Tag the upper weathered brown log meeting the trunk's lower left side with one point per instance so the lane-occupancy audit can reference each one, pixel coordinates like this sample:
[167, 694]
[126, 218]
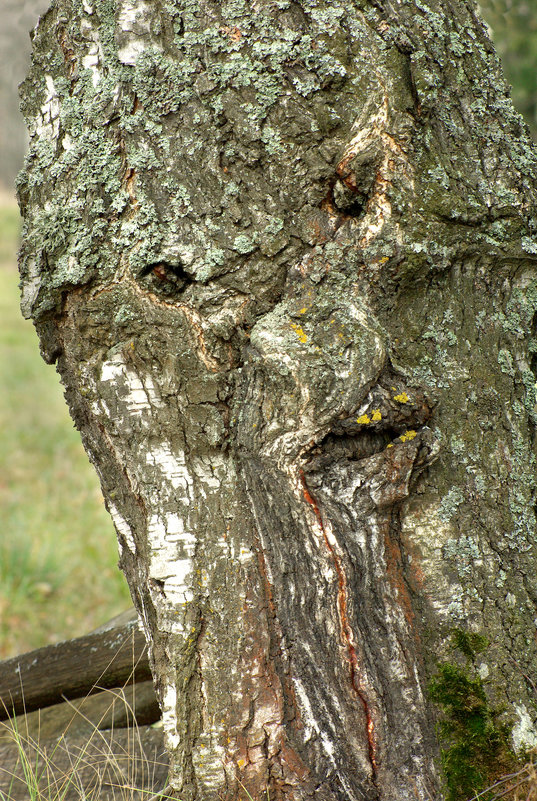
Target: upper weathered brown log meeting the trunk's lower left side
[71, 669]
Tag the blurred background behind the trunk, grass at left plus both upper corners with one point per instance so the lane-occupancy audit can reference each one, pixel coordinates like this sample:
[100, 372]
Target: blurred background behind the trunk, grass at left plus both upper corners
[58, 574]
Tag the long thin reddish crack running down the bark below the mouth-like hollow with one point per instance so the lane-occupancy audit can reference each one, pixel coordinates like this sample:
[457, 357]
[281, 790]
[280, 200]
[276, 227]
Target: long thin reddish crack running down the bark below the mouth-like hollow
[346, 630]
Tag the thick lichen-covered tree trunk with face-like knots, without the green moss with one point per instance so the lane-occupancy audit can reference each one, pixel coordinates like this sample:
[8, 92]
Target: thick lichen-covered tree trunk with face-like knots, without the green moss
[283, 255]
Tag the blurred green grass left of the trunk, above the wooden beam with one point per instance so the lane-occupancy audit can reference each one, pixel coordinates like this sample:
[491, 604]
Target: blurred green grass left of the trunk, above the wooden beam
[58, 574]
